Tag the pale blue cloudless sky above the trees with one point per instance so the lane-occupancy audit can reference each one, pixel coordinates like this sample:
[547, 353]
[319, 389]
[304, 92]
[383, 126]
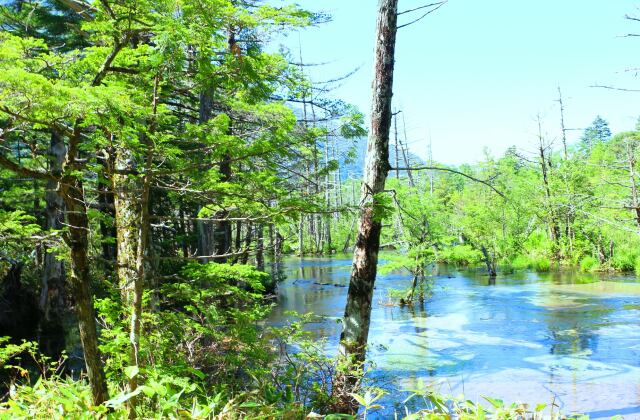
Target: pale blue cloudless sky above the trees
[474, 75]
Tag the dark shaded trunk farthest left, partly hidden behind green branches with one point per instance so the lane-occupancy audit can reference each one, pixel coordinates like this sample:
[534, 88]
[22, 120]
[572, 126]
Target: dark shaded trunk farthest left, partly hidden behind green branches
[52, 302]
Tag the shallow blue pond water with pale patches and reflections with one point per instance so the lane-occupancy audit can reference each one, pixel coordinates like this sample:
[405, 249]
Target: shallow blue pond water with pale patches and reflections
[536, 338]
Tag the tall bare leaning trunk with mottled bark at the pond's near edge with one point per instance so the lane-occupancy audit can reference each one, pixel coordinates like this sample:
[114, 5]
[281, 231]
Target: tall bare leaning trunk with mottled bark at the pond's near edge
[353, 339]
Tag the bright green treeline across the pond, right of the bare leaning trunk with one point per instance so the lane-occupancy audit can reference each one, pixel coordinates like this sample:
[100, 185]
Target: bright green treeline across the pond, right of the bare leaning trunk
[570, 205]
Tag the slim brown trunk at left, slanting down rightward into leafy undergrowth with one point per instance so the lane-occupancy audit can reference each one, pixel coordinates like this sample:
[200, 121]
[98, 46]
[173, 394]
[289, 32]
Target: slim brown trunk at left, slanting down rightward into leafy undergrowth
[72, 191]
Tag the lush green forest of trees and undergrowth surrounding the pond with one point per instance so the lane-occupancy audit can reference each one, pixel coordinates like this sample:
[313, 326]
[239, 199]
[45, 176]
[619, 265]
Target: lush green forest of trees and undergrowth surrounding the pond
[163, 168]
